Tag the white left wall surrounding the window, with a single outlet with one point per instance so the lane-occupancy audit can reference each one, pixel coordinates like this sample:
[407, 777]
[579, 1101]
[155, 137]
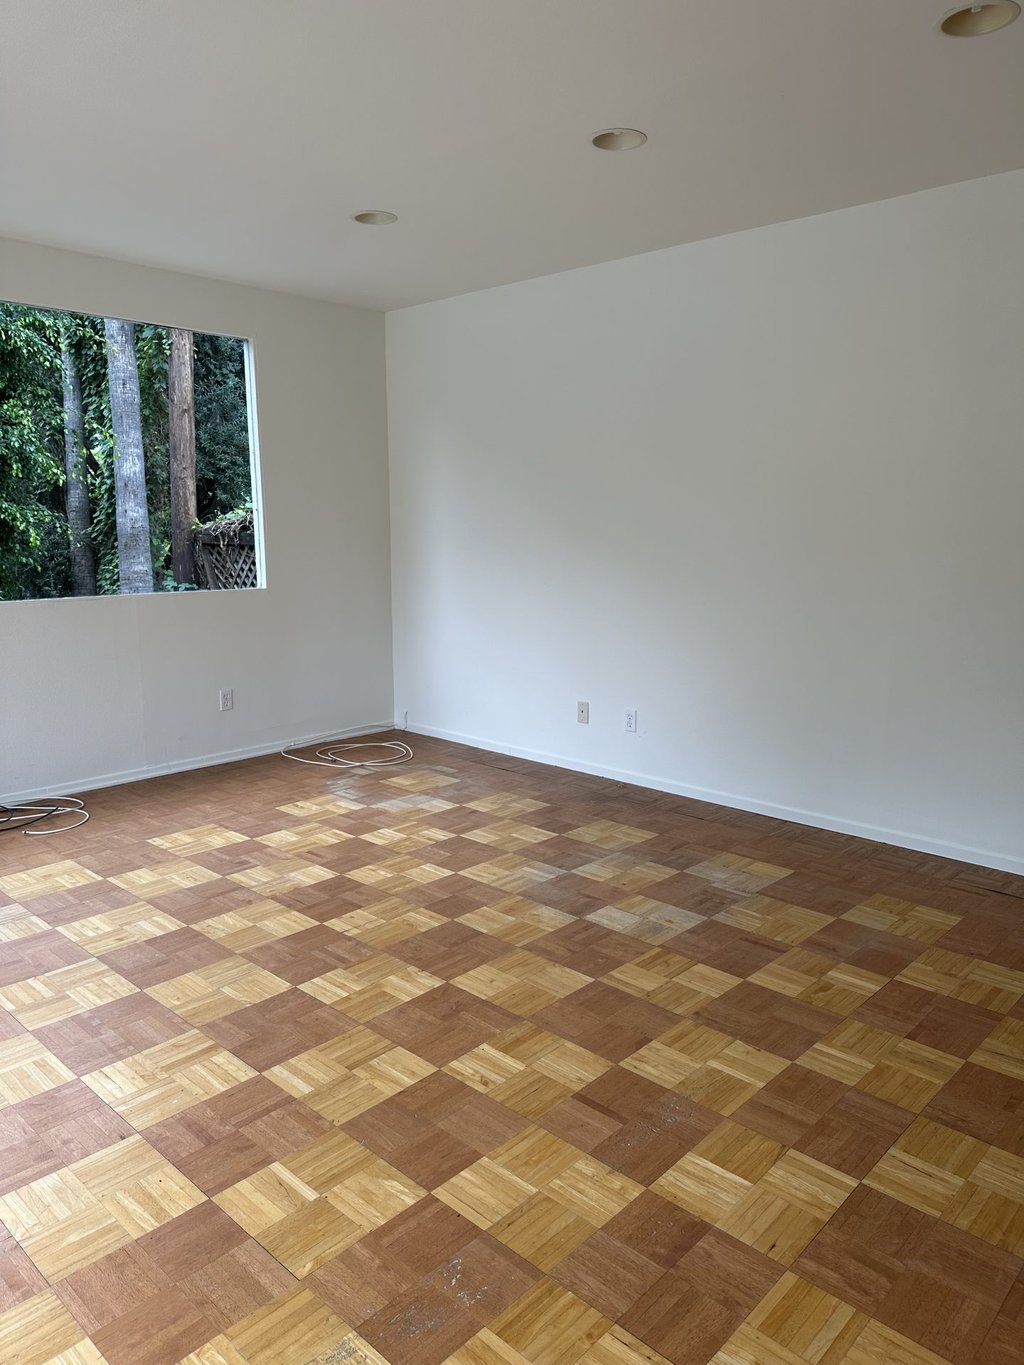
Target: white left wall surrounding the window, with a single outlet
[117, 687]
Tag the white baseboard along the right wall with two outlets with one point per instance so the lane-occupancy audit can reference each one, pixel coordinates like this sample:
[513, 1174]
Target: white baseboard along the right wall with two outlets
[879, 835]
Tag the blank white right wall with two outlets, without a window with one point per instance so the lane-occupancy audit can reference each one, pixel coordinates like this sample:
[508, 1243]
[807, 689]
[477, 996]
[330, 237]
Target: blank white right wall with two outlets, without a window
[768, 489]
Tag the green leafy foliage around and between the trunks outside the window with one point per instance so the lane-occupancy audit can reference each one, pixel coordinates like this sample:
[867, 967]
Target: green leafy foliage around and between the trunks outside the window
[35, 540]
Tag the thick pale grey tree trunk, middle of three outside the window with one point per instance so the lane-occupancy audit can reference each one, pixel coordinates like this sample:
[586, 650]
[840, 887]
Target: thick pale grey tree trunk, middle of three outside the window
[134, 554]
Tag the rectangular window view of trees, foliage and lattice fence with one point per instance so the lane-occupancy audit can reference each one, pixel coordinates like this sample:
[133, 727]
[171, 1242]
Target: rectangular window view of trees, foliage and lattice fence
[125, 458]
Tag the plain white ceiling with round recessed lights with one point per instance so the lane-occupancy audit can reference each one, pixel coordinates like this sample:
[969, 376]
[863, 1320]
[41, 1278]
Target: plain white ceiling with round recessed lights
[234, 139]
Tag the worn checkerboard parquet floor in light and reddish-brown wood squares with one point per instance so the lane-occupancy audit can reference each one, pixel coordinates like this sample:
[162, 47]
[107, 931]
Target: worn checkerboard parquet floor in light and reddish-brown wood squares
[491, 1064]
